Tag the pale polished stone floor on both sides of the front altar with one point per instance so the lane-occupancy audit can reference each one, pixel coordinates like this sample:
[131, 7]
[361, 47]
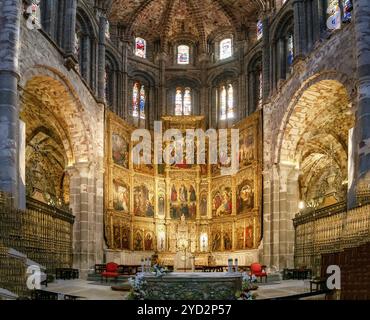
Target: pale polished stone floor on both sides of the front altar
[89, 290]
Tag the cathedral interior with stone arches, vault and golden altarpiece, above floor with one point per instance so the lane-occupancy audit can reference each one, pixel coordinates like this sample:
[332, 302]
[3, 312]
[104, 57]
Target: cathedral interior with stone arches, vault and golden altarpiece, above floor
[79, 77]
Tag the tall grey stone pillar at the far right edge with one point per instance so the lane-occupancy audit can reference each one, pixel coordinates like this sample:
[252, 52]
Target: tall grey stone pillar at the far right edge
[362, 33]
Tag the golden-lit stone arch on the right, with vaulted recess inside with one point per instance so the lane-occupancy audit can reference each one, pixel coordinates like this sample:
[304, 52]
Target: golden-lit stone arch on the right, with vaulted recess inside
[313, 143]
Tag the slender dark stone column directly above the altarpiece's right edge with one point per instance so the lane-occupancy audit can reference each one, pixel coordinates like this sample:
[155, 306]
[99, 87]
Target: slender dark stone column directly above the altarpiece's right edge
[266, 59]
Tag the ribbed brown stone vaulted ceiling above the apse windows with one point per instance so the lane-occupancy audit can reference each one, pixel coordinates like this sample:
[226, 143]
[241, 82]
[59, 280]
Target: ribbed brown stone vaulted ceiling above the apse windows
[155, 19]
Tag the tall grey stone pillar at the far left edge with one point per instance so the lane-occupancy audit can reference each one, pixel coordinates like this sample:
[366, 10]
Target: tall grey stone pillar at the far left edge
[10, 14]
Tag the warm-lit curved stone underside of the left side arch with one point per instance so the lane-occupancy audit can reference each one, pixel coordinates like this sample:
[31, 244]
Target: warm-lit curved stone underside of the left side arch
[58, 102]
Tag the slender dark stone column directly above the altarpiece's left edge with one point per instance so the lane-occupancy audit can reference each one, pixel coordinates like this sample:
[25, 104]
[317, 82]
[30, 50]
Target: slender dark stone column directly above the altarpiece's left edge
[101, 58]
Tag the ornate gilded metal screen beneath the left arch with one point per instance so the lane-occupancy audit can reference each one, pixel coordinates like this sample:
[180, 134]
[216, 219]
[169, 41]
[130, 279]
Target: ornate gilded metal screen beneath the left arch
[42, 233]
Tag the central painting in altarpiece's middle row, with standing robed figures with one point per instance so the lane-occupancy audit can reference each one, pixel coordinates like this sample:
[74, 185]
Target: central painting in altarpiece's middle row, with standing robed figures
[183, 201]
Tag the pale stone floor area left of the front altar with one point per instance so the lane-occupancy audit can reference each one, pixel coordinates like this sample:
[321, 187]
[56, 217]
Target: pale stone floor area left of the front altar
[87, 290]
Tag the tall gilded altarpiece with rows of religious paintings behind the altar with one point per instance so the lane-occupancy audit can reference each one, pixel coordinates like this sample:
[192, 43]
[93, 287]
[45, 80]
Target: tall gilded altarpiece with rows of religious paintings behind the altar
[185, 208]
